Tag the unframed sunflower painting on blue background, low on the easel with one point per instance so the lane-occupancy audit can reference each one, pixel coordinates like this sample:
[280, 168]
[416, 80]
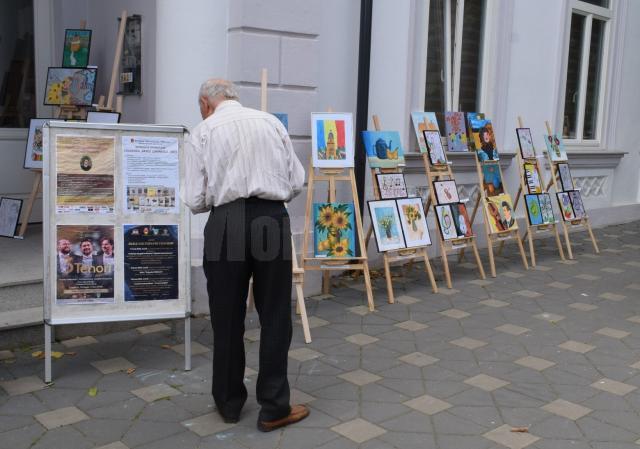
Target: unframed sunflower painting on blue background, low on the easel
[333, 230]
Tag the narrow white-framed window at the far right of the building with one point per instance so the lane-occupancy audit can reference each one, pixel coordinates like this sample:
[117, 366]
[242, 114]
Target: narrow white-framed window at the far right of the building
[586, 58]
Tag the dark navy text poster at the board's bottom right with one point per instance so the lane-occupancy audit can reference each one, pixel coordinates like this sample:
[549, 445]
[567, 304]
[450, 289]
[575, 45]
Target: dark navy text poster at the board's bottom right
[150, 262]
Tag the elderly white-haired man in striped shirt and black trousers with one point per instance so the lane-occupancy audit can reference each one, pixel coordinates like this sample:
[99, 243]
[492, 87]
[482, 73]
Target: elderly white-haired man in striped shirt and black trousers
[242, 167]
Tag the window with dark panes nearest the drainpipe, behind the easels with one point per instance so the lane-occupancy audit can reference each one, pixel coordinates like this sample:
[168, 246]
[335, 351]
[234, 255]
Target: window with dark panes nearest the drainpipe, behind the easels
[454, 56]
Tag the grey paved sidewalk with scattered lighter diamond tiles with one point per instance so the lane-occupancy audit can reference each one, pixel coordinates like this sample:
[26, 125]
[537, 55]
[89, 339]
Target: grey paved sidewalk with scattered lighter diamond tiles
[553, 352]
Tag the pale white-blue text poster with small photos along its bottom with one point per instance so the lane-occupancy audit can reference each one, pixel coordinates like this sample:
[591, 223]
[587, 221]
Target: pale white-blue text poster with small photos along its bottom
[151, 174]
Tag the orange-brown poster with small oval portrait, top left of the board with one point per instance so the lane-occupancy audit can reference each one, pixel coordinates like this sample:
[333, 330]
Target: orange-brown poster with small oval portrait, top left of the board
[85, 174]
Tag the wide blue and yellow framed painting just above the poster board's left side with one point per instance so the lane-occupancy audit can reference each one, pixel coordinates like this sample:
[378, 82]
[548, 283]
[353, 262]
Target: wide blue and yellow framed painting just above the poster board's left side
[67, 86]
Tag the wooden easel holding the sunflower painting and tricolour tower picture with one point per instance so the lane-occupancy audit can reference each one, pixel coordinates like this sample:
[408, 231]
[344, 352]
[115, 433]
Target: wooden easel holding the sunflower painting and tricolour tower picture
[327, 264]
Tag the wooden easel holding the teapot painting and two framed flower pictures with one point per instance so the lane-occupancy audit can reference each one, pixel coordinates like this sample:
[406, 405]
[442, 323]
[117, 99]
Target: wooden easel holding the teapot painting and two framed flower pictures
[399, 255]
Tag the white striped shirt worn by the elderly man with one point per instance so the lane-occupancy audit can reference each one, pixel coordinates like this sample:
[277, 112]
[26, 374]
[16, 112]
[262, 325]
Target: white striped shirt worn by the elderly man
[239, 152]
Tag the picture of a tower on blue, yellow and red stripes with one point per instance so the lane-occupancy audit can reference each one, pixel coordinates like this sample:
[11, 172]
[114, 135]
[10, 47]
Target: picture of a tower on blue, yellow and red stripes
[332, 139]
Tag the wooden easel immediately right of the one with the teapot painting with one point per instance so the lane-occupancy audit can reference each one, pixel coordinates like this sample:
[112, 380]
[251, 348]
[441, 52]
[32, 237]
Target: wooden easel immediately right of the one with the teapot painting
[443, 172]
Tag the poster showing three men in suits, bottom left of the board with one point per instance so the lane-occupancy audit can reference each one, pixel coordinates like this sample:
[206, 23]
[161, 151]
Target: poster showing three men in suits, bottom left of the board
[85, 264]
